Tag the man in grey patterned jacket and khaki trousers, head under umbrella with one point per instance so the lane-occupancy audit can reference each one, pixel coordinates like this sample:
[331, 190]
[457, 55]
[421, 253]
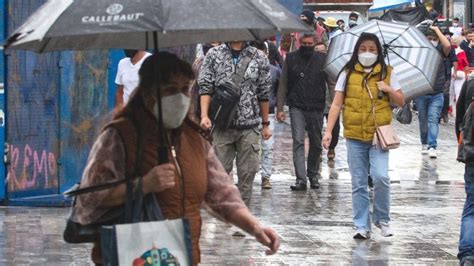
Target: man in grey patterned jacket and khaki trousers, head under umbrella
[241, 140]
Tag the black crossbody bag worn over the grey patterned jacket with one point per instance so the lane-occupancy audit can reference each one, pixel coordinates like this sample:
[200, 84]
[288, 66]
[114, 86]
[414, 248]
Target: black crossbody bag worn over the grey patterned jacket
[224, 103]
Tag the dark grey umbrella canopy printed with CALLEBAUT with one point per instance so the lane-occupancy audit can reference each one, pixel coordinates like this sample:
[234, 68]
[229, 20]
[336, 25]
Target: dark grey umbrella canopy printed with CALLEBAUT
[93, 24]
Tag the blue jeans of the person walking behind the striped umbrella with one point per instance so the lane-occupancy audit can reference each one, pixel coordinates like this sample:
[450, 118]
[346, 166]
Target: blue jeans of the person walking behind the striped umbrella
[429, 112]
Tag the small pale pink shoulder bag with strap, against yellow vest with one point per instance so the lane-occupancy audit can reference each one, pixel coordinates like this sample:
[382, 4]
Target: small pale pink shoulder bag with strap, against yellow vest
[384, 136]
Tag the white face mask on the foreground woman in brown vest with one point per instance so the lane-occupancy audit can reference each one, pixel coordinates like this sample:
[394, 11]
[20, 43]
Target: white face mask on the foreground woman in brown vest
[175, 108]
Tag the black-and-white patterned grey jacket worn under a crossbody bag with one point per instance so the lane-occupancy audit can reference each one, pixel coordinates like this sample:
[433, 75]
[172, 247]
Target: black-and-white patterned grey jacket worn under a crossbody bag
[218, 68]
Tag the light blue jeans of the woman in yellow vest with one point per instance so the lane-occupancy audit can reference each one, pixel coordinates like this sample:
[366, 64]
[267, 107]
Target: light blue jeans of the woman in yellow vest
[363, 157]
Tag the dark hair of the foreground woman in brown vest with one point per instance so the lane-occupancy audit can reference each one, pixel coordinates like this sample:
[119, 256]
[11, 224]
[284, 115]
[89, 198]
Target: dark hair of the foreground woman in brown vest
[166, 65]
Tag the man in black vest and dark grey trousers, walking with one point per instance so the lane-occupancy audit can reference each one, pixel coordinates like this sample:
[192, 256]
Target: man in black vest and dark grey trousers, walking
[303, 84]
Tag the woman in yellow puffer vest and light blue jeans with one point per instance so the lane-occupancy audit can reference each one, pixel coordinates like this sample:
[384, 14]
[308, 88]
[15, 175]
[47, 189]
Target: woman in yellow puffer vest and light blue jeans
[366, 70]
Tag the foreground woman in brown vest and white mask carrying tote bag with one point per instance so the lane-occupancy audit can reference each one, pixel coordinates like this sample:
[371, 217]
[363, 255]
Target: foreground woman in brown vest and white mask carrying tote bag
[158, 200]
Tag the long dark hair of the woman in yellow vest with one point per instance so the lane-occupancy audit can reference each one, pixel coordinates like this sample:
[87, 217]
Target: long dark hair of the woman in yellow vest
[350, 66]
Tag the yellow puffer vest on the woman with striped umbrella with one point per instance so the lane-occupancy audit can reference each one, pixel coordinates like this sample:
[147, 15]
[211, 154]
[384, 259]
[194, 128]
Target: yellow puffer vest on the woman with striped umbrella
[357, 115]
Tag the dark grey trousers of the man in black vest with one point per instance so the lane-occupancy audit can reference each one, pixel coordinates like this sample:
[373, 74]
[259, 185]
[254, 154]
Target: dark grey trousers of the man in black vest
[311, 121]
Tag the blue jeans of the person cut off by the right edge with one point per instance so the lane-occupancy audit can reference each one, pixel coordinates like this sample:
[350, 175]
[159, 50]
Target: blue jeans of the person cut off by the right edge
[466, 241]
